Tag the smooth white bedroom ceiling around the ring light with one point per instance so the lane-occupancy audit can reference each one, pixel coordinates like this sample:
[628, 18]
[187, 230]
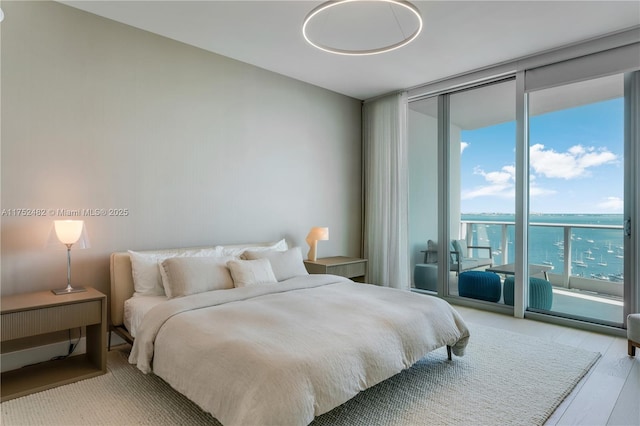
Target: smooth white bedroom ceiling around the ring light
[458, 36]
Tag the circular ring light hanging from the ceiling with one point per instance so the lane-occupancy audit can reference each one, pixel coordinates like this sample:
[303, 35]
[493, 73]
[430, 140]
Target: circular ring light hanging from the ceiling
[362, 27]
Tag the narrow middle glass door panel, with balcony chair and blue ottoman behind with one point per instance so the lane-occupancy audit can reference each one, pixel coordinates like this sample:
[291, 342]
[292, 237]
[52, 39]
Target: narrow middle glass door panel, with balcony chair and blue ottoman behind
[481, 187]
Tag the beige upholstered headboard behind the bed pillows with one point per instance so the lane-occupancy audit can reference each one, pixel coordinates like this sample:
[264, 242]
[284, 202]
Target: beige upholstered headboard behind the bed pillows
[122, 277]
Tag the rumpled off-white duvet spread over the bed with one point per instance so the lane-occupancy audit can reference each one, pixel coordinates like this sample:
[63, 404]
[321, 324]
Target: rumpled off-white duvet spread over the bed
[280, 354]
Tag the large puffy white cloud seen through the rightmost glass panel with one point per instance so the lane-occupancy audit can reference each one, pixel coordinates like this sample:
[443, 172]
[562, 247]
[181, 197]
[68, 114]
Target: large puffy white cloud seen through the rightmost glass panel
[568, 165]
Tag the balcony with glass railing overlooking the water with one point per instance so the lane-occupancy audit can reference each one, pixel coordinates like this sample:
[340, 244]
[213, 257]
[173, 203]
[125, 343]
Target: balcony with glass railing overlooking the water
[586, 261]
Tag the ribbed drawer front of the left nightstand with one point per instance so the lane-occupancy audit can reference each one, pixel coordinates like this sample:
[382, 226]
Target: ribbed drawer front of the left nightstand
[46, 320]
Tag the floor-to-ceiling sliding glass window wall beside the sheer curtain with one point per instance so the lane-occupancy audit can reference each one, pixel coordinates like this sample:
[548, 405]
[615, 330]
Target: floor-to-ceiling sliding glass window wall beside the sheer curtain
[535, 165]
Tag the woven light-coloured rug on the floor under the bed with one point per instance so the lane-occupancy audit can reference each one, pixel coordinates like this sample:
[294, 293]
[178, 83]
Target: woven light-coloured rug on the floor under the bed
[504, 378]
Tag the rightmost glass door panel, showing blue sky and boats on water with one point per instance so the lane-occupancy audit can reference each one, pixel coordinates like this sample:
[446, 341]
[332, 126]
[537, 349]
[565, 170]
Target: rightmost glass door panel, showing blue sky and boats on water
[576, 198]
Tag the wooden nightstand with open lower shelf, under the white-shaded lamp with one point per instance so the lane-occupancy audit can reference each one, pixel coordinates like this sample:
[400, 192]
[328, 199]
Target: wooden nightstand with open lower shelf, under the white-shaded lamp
[43, 312]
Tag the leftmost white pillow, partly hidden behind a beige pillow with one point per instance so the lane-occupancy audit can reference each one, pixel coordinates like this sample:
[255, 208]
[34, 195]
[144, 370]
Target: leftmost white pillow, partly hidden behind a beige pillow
[146, 274]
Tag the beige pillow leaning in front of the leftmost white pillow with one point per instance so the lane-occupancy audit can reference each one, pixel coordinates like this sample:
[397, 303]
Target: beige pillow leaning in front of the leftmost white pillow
[189, 275]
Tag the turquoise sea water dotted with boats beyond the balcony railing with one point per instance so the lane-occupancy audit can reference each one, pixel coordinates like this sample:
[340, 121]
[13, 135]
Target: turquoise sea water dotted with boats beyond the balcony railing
[595, 253]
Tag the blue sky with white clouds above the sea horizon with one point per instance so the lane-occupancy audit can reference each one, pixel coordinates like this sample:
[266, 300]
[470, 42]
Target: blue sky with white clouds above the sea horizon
[576, 158]
